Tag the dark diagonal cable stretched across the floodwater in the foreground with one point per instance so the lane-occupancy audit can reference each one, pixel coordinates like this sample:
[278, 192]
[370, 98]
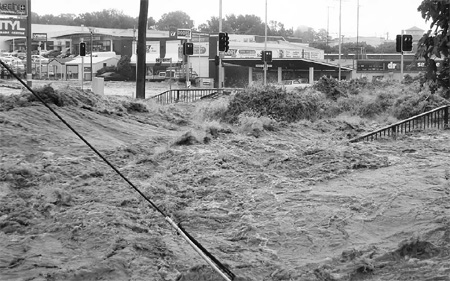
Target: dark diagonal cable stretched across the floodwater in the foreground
[222, 270]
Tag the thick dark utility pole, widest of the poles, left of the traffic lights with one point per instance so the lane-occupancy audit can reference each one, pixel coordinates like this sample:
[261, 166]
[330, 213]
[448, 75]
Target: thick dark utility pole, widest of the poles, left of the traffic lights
[141, 50]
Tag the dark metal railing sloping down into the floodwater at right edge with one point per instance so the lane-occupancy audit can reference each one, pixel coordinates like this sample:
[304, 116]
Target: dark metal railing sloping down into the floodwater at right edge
[436, 118]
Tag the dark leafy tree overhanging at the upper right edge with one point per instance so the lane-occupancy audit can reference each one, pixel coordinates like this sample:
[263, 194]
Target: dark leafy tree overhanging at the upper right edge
[434, 46]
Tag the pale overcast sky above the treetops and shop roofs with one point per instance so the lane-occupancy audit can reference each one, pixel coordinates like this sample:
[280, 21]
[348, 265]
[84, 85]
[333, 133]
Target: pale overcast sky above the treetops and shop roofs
[376, 17]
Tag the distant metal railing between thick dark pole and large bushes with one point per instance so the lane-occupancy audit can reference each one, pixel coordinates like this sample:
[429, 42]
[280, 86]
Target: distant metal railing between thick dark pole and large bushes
[184, 95]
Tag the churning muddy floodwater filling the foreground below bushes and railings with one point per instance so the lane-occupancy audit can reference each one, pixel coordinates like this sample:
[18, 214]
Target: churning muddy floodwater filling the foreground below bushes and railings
[296, 202]
